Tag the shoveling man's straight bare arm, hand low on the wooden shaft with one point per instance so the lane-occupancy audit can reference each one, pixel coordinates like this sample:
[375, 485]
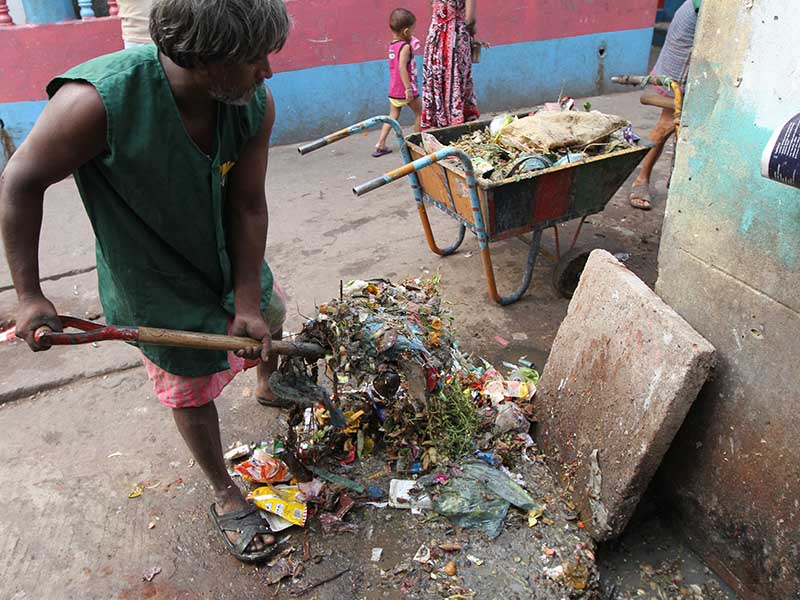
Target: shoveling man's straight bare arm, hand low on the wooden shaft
[249, 220]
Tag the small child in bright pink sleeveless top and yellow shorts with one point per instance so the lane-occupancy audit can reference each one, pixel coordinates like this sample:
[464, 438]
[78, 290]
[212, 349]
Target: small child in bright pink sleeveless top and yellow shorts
[403, 89]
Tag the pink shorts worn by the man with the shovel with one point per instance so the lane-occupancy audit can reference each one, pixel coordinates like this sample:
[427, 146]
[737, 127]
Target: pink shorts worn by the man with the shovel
[177, 391]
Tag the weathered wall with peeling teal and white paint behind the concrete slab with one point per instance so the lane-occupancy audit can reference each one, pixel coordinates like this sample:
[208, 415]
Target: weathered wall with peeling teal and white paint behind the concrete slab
[730, 264]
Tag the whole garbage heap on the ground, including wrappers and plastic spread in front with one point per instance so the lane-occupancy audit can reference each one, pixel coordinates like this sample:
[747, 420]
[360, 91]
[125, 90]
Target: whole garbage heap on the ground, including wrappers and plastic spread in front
[449, 432]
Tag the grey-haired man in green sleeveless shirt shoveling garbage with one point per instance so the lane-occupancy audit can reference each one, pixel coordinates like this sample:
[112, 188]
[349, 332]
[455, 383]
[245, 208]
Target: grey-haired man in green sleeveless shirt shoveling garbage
[169, 145]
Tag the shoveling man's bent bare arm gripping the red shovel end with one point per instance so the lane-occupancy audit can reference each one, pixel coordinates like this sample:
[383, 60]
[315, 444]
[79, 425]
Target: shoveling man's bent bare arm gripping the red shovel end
[70, 132]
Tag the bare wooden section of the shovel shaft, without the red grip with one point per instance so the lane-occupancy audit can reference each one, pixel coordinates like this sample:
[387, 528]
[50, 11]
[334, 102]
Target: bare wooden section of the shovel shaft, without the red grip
[209, 341]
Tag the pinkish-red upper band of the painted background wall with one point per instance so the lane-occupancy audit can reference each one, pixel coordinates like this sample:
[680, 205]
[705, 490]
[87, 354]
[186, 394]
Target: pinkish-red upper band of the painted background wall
[324, 33]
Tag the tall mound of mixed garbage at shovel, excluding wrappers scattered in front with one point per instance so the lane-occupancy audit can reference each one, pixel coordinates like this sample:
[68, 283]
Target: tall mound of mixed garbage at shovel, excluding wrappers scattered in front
[395, 376]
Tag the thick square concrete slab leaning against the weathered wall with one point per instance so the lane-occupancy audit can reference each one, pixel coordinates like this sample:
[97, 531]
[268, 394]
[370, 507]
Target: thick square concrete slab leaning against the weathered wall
[623, 371]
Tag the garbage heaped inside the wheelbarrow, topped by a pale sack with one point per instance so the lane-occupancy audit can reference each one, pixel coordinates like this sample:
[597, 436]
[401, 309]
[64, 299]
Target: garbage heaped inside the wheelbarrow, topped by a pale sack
[552, 137]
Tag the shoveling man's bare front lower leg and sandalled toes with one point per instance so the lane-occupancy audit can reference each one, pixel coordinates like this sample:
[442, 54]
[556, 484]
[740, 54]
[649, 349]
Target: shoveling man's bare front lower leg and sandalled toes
[200, 430]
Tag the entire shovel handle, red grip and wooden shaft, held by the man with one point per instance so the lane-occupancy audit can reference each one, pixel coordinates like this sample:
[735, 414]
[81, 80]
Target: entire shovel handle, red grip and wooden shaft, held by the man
[92, 332]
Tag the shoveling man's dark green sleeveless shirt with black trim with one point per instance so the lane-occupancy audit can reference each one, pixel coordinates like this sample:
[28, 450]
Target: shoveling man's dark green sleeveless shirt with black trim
[157, 206]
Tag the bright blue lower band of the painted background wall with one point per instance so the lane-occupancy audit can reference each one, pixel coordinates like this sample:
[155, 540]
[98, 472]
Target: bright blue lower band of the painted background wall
[312, 102]
